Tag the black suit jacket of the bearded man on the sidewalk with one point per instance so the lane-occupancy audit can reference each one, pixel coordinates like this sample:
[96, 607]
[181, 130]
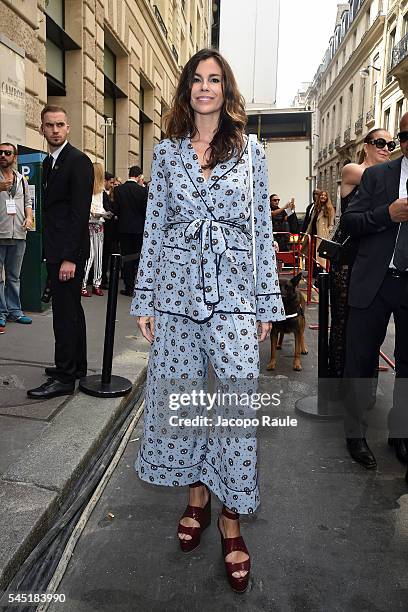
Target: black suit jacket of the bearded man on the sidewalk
[67, 202]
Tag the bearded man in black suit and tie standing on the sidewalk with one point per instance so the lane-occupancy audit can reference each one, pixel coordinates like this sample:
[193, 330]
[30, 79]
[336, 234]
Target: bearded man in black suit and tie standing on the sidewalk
[68, 184]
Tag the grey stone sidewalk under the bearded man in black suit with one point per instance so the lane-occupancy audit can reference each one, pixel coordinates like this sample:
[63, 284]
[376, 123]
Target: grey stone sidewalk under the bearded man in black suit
[45, 445]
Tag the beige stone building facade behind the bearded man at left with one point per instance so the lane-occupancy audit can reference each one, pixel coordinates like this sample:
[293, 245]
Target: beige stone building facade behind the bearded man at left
[113, 64]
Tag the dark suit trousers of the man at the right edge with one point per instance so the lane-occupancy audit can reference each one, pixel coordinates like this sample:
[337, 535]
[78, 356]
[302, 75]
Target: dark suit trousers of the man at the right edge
[366, 331]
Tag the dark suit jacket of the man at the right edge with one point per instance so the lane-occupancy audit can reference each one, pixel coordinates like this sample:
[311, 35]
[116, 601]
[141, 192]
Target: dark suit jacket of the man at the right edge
[367, 217]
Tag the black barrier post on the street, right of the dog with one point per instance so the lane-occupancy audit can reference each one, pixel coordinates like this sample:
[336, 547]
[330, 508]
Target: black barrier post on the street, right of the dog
[321, 406]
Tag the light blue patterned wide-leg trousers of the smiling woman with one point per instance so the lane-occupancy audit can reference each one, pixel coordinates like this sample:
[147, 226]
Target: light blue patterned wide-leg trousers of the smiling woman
[182, 350]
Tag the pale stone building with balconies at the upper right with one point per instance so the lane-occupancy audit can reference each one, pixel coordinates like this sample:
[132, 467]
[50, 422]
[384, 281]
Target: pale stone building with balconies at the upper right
[359, 85]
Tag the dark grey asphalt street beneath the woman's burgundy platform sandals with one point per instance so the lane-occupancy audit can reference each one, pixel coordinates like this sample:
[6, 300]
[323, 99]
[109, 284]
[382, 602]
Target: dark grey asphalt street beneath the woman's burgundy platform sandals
[328, 536]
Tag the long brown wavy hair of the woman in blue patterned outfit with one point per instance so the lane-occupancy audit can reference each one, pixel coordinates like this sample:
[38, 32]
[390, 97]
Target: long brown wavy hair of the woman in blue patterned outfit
[228, 141]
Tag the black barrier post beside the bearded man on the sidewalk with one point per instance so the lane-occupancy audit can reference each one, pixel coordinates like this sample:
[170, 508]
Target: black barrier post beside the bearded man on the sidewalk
[106, 385]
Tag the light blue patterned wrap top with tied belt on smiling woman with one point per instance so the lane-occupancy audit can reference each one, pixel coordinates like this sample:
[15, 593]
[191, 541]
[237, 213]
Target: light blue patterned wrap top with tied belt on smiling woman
[197, 252]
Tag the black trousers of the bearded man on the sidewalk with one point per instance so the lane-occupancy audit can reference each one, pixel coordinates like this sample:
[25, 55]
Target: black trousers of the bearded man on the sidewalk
[68, 323]
